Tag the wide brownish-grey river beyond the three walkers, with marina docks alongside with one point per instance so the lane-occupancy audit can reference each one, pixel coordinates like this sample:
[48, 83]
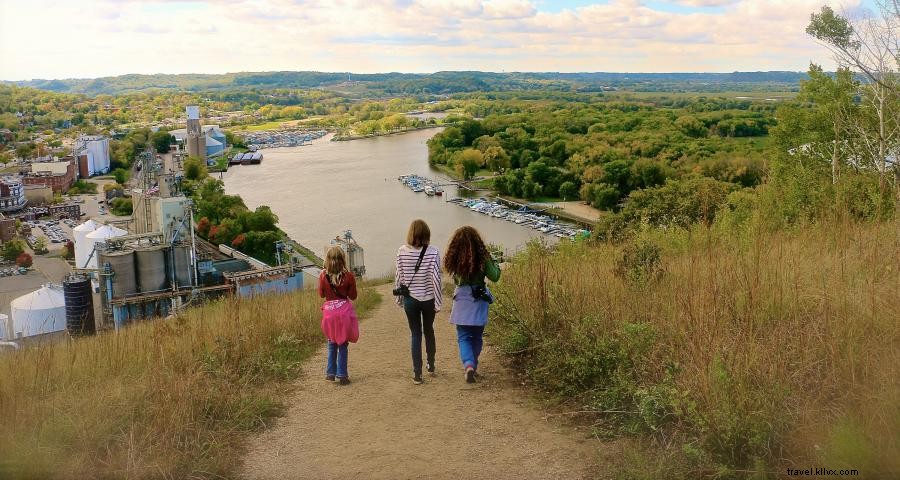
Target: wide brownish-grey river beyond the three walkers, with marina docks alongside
[320, 190]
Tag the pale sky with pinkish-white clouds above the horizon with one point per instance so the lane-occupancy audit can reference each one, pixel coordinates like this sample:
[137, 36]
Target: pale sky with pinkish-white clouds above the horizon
[94, 38]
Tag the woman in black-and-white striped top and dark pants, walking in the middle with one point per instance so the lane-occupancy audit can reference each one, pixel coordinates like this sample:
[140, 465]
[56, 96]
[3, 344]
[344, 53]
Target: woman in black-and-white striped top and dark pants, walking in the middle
[417, 287]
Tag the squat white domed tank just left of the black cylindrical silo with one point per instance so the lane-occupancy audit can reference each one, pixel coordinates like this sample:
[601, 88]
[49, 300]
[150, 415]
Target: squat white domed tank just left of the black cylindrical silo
[39, 312]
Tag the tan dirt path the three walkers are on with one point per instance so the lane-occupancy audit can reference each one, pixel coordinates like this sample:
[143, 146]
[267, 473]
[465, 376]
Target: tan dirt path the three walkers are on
[383, 426]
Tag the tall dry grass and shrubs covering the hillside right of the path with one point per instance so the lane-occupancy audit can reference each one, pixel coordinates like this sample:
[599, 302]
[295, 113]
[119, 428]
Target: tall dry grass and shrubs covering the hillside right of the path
[739, 356]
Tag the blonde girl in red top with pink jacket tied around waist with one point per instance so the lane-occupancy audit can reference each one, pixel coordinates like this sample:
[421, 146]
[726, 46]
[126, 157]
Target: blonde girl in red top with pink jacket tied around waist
[337, 286]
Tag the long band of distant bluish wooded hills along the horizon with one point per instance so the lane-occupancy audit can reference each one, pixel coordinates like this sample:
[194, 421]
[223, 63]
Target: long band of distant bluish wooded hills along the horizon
[435, 83]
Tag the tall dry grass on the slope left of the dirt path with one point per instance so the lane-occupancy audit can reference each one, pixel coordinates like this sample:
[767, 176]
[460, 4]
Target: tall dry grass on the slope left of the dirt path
[161, 399]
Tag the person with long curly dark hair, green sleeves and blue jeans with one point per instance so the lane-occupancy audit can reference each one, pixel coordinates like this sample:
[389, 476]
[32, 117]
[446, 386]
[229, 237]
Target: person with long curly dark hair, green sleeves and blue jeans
[469, 262]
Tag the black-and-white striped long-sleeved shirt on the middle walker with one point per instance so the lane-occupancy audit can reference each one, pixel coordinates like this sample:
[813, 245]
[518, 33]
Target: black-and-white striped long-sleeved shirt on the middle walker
[424, 285]
